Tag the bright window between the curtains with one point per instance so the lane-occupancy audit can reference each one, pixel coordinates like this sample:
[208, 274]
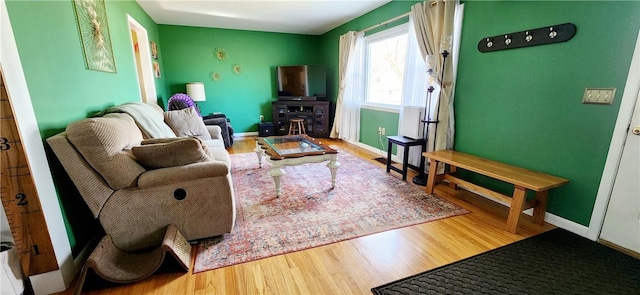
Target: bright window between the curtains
[385, 53]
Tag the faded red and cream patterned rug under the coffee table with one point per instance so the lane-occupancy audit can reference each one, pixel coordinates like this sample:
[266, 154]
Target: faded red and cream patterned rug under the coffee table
[309, 213]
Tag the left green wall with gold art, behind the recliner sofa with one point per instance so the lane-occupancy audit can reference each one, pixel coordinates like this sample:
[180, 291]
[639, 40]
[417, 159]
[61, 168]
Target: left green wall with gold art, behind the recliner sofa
[62, 90]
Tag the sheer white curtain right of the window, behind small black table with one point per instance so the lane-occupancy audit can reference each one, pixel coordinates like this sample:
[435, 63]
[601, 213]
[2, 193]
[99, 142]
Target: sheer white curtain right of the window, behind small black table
[414, 88]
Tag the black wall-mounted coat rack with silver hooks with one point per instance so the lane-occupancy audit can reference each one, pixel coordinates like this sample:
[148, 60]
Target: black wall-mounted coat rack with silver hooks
[540, 36]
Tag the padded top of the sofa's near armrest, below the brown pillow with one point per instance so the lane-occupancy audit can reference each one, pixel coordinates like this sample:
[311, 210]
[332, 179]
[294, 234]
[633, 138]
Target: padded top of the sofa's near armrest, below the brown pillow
[163, 176]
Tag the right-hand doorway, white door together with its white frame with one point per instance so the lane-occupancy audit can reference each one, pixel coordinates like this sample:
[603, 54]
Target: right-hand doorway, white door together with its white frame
[616, 215]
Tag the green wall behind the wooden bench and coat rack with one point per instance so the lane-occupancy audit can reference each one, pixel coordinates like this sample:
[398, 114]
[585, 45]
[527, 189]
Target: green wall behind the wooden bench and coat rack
[524, 106]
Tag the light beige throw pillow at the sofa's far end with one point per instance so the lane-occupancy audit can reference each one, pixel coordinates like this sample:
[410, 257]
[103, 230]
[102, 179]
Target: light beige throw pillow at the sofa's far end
[186, 122]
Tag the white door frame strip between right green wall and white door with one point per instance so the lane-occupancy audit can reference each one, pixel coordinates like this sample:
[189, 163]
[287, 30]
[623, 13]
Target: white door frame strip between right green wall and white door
[625, 112]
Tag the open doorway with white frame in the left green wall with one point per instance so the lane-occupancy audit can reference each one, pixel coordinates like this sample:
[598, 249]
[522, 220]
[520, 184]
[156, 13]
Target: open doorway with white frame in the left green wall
[142, 55]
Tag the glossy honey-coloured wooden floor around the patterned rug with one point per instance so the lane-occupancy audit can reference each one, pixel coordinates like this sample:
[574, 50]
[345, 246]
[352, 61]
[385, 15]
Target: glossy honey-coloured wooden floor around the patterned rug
[353, 266]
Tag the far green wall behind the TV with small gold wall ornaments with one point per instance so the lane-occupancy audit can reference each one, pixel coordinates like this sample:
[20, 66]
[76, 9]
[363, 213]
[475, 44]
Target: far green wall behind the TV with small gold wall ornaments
[188, 55]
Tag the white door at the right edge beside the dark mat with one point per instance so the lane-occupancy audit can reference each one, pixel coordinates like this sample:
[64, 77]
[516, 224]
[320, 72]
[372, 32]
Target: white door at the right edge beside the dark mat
[622, 220]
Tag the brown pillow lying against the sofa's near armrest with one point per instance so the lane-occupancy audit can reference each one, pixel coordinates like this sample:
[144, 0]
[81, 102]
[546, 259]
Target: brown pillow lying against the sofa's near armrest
[178, 152]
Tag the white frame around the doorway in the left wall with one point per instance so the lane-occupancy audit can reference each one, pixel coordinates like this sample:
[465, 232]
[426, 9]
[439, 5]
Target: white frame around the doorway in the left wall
[147, 79]
